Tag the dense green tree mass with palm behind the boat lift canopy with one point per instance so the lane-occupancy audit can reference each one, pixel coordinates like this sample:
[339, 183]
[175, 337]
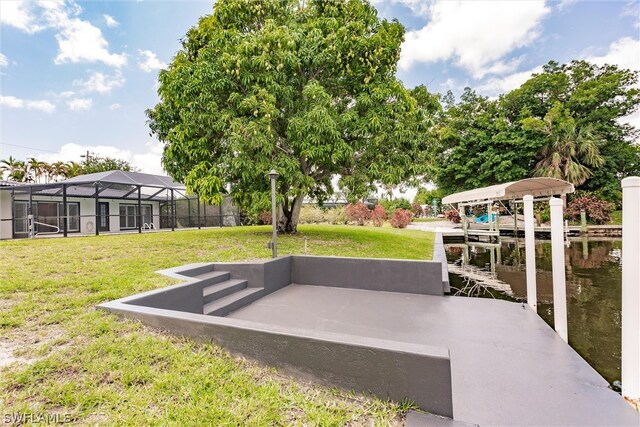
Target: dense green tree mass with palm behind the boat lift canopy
[563, 122]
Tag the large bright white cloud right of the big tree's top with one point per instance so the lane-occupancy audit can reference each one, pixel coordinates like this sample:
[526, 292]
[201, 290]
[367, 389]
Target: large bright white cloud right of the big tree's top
[476, 35]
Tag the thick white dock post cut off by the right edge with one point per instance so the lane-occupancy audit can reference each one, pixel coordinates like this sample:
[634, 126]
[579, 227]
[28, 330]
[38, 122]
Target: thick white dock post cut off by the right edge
[631, 287]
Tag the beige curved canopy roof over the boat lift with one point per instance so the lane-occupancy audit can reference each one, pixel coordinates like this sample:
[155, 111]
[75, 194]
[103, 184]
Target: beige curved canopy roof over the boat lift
[536, 187]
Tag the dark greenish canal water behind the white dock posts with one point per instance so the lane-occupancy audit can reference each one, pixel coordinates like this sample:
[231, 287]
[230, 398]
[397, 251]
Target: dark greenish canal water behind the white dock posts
[594, 290]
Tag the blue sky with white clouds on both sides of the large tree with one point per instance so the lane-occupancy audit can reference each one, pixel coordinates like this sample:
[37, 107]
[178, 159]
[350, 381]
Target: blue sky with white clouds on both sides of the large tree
[77, 76]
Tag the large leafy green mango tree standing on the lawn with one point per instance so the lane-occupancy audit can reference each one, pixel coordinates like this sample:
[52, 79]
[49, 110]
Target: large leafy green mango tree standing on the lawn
[305, 88]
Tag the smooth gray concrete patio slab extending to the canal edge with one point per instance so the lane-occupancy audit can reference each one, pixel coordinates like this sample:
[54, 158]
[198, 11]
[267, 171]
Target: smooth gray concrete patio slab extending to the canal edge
[508, 366]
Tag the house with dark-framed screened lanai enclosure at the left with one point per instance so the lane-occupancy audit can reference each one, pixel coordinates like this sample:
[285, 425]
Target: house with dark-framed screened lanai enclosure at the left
[106, 202]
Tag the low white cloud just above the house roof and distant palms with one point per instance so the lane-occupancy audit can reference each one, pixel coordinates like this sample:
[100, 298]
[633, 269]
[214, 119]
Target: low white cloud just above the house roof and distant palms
[148, 161]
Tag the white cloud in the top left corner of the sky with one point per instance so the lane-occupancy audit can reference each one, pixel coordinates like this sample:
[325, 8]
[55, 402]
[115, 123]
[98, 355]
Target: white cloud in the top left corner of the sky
[78, 40]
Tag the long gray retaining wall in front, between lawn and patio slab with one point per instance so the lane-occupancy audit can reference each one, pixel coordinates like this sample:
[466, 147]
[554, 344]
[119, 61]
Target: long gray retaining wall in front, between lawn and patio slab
[388, 369]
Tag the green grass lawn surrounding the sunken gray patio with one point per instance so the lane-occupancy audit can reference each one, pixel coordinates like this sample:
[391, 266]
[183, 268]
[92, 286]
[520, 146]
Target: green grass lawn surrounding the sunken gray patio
[98, 368]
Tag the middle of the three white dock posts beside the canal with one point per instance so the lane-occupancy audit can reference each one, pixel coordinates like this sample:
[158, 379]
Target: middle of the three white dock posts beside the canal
[558, 269]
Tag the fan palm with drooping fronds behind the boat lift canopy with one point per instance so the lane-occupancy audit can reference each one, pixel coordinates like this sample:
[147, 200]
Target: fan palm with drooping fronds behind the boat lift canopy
[569, 151]
